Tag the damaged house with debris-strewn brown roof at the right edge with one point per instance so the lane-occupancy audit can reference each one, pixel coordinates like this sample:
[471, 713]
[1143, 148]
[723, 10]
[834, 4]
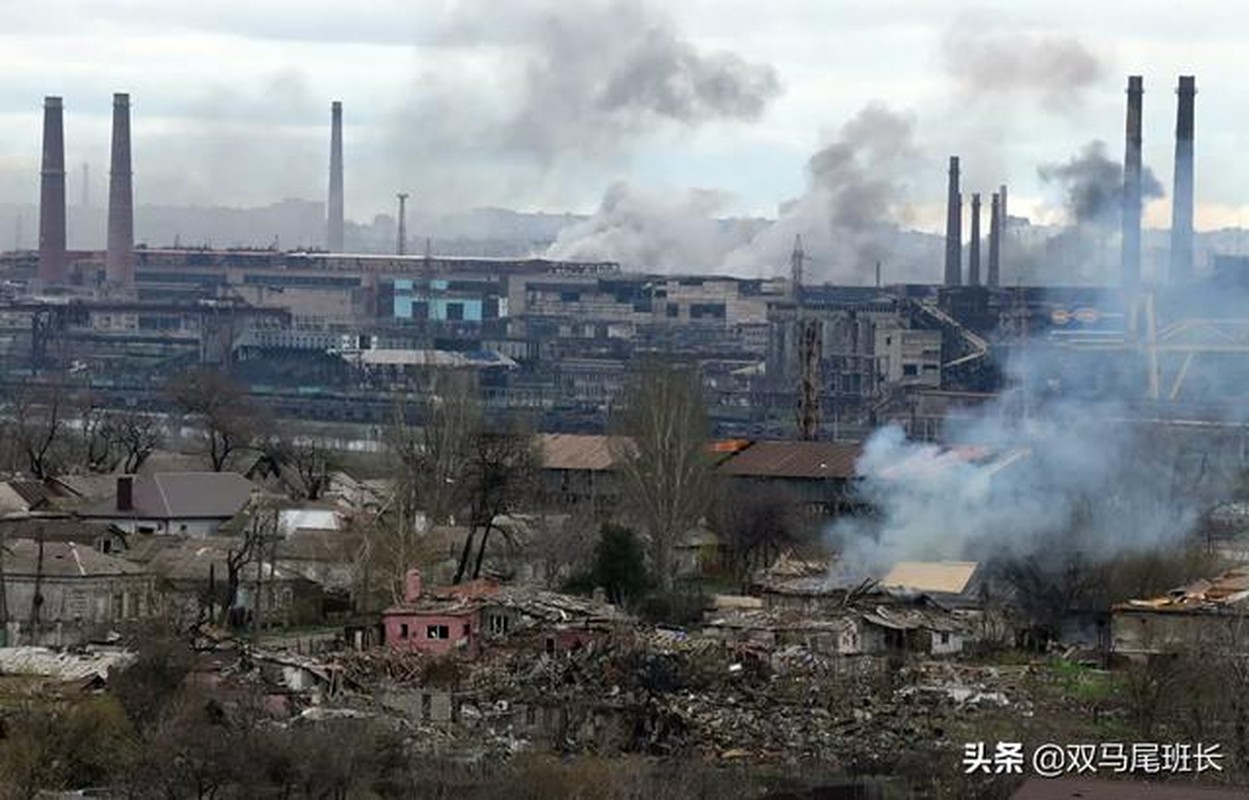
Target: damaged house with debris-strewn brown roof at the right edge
[1206, 613]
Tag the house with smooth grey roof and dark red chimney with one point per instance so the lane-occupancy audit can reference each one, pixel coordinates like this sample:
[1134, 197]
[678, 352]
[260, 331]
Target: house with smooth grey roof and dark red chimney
[189, 504]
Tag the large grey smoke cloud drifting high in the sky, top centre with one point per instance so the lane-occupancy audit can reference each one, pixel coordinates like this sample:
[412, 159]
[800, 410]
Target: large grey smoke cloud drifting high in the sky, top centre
[593, 78]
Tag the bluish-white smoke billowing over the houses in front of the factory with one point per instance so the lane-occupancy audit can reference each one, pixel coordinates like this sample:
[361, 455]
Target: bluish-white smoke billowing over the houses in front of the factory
[1037, 471]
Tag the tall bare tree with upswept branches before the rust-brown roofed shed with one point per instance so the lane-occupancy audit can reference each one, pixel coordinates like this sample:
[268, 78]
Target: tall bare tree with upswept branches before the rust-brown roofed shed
[666, 474]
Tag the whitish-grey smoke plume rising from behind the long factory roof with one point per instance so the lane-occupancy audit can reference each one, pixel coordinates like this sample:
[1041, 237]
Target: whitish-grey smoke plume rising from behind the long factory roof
[849, 218]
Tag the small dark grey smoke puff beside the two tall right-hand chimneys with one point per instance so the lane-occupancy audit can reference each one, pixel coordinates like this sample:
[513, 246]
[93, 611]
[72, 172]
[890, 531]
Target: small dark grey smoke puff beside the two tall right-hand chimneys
[1092, 187]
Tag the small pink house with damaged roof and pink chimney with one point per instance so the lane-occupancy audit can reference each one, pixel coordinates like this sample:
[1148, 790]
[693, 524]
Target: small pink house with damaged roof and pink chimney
[435, 625]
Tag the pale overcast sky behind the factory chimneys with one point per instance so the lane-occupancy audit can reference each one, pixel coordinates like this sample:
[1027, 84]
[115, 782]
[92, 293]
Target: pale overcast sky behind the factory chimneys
[544, 104]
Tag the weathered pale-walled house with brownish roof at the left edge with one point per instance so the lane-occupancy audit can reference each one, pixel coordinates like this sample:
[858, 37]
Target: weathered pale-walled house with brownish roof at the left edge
[82, 593]
